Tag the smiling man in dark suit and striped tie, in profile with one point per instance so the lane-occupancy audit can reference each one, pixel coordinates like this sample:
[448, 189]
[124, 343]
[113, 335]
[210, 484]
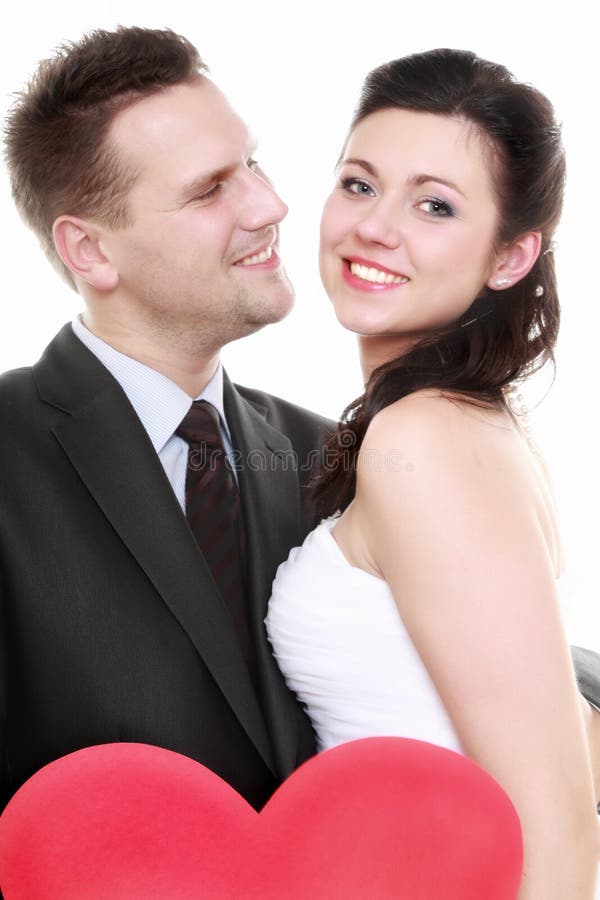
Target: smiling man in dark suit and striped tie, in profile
[121, 620]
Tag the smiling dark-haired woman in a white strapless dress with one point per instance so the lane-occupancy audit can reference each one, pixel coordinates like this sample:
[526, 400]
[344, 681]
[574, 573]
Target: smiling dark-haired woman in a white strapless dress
[428, 608]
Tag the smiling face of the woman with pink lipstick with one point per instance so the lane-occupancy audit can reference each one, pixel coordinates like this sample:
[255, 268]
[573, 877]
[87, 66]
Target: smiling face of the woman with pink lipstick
[407, 236]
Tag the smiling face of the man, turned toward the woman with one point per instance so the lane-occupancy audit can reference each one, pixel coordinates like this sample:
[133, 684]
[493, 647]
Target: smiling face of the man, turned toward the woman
[198, 262]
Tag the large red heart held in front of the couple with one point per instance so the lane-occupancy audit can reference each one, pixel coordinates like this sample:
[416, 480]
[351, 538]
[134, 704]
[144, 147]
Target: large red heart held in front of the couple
[375, 818]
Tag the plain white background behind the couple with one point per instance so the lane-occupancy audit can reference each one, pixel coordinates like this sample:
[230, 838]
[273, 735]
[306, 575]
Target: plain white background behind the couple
[293, 71]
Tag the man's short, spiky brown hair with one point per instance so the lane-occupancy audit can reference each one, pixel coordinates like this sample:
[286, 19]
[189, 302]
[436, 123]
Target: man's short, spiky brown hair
[55, 135]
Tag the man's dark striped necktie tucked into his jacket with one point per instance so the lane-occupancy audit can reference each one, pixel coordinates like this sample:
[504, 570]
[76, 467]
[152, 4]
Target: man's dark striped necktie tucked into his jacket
[213, 511]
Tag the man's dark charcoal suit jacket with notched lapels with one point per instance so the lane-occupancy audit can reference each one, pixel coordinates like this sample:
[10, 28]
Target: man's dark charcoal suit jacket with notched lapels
[111, 626]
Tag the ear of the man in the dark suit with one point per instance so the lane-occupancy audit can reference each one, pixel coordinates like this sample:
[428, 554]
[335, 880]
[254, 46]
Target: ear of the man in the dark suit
[78, 243]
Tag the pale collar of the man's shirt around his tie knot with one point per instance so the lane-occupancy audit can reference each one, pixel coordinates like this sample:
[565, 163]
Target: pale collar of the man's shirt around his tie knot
[159, 403]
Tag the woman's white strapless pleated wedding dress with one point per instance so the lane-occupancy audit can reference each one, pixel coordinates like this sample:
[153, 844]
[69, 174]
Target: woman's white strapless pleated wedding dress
[339, 640]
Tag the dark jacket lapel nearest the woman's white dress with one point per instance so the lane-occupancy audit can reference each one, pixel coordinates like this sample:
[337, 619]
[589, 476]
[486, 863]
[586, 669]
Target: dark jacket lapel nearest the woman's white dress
[268, 479]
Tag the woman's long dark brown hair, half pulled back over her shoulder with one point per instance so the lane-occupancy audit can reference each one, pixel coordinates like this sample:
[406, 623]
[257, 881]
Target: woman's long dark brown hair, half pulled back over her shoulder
[502, 337]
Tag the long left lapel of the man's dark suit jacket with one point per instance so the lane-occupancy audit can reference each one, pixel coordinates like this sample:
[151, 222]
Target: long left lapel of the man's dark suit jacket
[112, 454]
